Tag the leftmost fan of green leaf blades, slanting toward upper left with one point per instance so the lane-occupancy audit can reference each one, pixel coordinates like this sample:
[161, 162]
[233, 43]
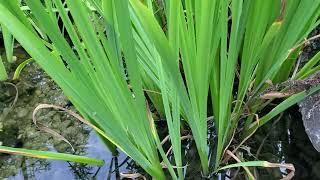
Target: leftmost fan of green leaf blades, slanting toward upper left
[93, 79]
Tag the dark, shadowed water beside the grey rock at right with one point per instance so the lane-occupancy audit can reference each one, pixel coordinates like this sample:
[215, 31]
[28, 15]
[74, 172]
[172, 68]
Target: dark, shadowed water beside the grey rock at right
[286, 141]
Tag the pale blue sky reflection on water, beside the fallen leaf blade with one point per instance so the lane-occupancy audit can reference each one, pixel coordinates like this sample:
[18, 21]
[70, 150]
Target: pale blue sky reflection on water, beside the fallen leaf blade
[65, 170]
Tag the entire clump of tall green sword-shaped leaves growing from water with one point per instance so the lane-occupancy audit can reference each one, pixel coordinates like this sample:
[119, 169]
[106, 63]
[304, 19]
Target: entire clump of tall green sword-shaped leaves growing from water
[112, 54]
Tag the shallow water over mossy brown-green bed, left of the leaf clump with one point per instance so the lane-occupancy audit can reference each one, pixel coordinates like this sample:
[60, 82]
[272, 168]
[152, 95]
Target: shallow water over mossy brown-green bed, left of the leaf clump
[18, 130]
